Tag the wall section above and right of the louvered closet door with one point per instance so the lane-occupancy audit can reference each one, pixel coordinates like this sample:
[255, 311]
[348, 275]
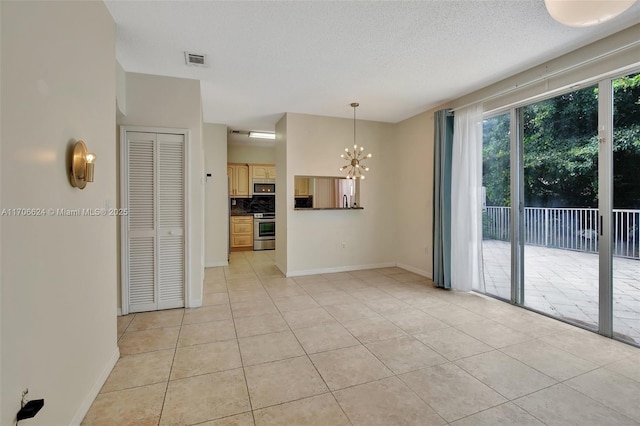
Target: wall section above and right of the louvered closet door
[159, 101]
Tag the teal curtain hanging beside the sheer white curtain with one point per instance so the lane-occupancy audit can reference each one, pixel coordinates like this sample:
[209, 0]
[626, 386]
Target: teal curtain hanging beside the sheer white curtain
[443, 141]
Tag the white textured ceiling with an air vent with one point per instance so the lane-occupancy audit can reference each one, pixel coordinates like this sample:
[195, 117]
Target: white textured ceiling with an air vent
[315, 57]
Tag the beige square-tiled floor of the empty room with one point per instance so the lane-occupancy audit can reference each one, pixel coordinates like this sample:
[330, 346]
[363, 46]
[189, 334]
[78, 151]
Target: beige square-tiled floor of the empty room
[375, 347]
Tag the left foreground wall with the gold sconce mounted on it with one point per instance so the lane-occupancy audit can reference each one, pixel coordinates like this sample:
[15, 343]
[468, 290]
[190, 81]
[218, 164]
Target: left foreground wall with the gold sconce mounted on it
[58, 274]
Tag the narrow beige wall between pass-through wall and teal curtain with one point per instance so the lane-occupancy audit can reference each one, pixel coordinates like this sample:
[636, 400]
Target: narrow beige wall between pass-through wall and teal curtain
[413, 164]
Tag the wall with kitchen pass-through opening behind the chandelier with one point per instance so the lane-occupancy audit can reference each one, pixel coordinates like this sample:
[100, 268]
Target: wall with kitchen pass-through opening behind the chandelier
[315, 238]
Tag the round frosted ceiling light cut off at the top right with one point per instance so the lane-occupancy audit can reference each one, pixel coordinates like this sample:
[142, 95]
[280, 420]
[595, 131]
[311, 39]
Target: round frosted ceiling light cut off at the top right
[586, 13]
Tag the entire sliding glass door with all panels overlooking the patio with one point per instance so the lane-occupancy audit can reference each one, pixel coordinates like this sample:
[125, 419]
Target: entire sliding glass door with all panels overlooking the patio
[561, 207]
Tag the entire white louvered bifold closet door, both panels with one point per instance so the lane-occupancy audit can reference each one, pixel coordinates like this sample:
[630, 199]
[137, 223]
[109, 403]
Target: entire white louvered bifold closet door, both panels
[154, 275]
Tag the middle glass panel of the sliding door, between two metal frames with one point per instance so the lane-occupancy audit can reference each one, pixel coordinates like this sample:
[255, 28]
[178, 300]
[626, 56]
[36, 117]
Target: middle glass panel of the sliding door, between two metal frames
[560, 180]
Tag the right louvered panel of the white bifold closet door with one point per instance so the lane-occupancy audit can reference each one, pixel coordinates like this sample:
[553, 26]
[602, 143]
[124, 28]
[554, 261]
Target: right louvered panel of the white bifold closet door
[171, 198]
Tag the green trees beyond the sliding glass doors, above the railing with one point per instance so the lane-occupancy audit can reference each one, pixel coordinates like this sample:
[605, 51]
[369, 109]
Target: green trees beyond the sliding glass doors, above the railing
[561, 150]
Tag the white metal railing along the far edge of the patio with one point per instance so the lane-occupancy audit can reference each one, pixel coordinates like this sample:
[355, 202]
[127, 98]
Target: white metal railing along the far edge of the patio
[566, 228]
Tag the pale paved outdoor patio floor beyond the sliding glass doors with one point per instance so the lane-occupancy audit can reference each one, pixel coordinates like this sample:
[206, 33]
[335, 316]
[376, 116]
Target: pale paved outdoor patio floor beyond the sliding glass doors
[564, 284]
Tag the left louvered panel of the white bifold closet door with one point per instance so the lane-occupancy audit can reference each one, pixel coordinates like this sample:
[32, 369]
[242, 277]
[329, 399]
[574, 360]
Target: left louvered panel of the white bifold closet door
[141, 221]
